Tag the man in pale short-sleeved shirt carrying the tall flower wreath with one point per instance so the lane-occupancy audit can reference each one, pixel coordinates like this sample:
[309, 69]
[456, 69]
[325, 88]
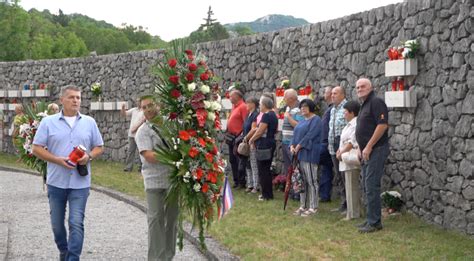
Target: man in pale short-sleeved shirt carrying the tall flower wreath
[162, 217]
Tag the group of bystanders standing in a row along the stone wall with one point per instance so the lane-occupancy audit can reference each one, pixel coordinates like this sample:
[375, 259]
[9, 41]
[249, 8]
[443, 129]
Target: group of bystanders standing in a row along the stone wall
[349, 139]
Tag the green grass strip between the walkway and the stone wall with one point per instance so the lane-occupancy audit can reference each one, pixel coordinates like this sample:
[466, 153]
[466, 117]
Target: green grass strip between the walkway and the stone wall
[256, 230]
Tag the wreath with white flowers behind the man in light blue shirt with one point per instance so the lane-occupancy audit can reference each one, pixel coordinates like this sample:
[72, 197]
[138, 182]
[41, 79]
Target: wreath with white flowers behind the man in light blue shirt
[29, 124]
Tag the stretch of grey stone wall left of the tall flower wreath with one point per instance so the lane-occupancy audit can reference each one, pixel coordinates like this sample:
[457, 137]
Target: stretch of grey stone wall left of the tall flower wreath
[124, 77]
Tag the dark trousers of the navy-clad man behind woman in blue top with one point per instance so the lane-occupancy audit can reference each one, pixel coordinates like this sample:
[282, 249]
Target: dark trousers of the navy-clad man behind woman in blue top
[325, 182]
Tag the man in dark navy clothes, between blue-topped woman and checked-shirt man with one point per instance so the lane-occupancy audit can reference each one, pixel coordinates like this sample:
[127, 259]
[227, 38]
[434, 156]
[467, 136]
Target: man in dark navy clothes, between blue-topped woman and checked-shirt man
[325, 161]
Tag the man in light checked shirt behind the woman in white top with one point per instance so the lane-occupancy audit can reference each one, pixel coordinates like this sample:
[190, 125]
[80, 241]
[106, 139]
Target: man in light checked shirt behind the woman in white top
[336, 124]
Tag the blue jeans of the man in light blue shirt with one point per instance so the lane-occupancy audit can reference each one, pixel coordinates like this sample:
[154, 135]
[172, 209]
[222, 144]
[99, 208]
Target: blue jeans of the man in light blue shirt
[77, 199]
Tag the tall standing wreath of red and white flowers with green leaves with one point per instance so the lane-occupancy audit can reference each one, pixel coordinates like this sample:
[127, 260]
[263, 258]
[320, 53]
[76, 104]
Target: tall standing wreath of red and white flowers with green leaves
[189, 98]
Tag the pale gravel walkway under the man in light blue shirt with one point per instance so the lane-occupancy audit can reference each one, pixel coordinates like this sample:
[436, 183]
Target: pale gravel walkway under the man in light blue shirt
[114, 230]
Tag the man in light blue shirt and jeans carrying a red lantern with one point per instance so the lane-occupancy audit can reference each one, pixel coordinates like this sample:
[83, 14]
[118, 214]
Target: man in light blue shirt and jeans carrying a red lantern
[56, 137]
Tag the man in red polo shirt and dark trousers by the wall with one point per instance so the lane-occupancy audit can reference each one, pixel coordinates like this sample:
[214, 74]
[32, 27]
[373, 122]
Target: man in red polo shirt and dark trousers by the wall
[235, 125]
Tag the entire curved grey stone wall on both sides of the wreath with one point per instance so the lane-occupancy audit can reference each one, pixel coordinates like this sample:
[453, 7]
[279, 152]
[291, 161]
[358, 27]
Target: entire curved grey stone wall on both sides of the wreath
[432, 156]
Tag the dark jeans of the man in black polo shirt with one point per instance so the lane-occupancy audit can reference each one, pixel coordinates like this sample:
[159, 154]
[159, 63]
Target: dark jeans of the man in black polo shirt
[372, 171]
